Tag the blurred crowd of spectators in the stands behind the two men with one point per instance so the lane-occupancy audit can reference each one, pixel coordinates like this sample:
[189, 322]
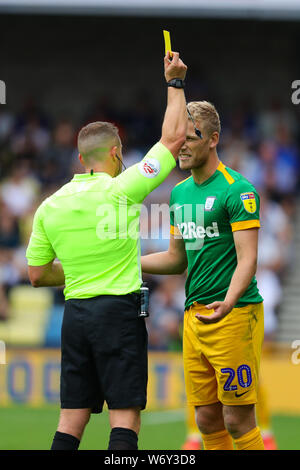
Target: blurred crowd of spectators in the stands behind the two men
[38, 154]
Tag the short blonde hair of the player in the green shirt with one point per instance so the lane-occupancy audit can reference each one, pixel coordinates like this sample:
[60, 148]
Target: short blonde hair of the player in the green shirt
[207, 114]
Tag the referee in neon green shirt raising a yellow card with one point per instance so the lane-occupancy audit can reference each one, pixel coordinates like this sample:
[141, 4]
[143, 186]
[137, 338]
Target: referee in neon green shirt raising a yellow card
[91, 226]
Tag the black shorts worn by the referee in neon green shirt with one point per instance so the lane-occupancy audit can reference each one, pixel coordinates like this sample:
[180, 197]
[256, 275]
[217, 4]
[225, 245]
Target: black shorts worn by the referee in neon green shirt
[104, 353]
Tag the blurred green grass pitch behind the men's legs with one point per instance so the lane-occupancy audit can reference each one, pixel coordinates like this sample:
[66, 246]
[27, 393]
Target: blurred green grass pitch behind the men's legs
[24, 428]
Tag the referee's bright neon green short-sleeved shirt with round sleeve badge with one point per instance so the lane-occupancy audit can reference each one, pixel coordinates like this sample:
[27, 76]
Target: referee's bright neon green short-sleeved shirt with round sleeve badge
[91, 225]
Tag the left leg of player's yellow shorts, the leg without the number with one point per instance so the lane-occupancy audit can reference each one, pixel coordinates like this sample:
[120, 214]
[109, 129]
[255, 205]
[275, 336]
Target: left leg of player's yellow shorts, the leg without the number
[200, 378]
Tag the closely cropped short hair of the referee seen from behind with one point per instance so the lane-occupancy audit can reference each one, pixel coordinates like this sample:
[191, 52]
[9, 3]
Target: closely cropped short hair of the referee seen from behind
[95, 139]
